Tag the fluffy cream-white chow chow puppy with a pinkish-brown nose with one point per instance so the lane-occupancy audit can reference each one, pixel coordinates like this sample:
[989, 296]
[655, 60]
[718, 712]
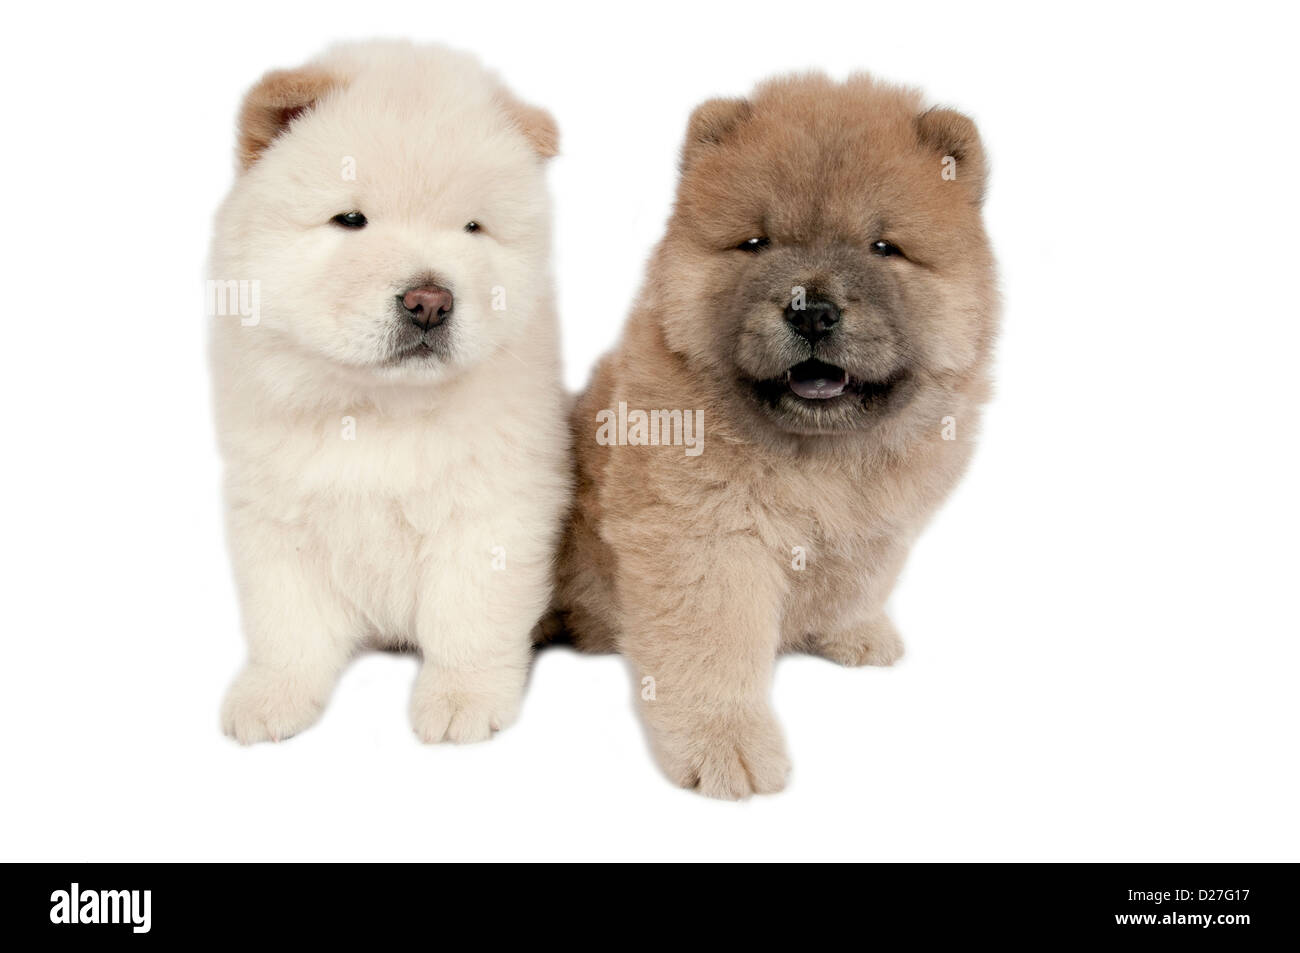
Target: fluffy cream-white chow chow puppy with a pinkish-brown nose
[387, 385]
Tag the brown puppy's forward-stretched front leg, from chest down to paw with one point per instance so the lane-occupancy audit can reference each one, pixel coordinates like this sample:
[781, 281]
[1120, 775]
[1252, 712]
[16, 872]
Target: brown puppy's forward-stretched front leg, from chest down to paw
[703, 630]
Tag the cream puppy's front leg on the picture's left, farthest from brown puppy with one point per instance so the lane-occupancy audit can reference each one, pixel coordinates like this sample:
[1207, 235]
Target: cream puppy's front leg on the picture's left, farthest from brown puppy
[300, 638]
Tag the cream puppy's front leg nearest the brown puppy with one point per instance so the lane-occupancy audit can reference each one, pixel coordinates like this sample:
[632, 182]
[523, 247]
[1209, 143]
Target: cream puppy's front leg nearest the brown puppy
[475, 631]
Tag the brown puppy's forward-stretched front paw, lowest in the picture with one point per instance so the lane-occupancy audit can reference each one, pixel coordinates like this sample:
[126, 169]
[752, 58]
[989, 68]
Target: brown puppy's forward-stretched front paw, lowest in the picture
[730, 755]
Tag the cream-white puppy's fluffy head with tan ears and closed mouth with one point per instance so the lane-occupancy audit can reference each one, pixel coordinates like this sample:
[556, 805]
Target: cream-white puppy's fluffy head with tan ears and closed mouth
[392, 209]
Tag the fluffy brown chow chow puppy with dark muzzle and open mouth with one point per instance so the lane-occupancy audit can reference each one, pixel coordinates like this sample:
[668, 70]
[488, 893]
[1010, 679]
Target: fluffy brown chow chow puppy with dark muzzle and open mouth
[817, 327]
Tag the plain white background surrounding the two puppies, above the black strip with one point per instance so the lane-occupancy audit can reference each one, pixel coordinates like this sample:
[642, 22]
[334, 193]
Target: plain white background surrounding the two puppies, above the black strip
[1102, 625]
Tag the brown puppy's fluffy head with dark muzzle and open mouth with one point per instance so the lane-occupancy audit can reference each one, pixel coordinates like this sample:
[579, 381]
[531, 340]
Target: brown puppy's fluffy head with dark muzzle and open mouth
[826, 265]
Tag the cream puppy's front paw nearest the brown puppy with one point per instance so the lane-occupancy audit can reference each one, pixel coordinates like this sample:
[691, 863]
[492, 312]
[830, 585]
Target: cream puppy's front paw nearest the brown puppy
[465, 708]
